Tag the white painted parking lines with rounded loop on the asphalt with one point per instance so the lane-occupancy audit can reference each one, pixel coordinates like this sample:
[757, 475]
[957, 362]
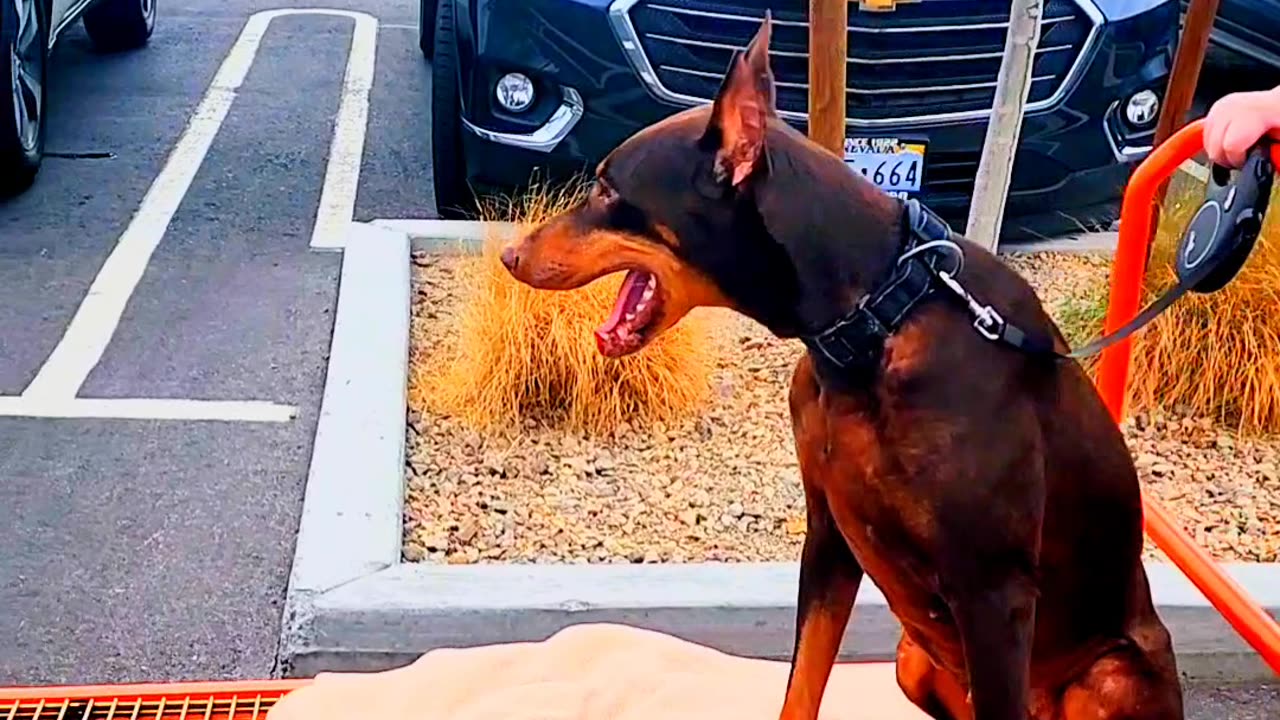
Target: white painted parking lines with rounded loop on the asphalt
[54, 390]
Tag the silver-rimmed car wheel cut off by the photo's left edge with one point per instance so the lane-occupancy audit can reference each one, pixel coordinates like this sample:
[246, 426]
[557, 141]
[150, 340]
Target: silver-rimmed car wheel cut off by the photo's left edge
[24, 61]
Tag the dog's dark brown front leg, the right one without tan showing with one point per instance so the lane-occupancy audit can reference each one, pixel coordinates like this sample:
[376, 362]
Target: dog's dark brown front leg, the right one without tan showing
[996, 626]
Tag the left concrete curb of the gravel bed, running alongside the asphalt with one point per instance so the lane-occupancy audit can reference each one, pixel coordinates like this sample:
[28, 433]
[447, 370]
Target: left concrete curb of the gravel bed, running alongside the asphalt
[351, 511]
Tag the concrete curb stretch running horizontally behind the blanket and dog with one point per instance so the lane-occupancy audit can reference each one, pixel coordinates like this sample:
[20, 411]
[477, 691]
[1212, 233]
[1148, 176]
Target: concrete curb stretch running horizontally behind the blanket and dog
[392, 617]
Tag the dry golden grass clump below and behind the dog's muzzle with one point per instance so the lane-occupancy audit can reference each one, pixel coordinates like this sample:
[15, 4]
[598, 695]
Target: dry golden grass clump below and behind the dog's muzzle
[522, 354]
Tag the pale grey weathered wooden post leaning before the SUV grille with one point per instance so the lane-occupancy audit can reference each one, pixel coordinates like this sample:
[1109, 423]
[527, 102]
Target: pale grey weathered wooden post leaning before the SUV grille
[1013, 85]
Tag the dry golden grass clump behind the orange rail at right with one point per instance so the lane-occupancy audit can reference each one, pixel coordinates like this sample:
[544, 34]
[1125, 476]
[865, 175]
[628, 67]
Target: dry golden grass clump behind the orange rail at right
[1210, 356]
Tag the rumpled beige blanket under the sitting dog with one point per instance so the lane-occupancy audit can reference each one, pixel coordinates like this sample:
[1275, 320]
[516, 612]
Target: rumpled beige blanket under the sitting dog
[589, 672]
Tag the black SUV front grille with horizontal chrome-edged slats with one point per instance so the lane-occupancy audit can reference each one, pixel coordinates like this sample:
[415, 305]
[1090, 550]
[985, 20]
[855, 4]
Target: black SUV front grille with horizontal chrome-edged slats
[929, 60]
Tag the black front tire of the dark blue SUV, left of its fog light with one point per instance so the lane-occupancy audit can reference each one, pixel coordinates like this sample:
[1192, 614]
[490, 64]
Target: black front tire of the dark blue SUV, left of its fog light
[454, 198]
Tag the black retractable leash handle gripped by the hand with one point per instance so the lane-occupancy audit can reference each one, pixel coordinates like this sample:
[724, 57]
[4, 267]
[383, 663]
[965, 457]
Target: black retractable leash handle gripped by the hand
[1226, 229]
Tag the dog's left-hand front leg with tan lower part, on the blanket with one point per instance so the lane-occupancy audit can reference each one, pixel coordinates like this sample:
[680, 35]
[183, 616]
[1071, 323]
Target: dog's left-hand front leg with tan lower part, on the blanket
[829, 585]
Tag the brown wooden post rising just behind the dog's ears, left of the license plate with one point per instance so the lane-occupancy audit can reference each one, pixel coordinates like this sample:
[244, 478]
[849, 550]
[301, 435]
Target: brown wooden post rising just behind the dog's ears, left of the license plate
[829, 58]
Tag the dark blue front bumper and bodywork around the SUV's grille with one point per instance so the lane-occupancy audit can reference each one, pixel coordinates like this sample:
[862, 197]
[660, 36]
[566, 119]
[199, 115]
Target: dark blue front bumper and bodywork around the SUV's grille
[596, 90]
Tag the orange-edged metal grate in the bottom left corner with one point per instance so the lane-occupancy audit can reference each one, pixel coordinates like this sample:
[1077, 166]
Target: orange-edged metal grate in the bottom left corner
[190, 701]
